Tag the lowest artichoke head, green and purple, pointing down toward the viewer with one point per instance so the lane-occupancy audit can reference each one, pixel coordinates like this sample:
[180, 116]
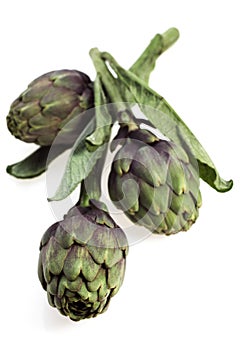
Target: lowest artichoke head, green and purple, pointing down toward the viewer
[82, 262]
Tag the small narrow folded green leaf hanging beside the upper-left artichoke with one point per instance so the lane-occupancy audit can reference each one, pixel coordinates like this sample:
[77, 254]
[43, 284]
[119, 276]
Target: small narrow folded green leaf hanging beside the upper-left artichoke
[103, 116]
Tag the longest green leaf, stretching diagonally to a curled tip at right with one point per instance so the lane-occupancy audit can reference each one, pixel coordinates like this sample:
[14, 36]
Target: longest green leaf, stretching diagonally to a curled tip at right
[171, 125]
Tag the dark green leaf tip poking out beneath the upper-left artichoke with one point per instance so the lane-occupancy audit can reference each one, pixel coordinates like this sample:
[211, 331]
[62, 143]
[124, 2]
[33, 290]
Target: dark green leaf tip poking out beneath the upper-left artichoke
[36, 163]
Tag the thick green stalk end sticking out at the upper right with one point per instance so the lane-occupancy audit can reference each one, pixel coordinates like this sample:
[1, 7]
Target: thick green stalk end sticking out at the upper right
[159, 44]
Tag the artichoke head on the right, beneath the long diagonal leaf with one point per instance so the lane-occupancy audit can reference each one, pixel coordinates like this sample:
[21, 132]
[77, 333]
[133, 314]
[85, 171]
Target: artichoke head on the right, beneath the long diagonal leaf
[156, 183]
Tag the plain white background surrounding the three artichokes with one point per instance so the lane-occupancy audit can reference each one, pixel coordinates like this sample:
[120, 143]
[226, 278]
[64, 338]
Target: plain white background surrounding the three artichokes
[182, 292]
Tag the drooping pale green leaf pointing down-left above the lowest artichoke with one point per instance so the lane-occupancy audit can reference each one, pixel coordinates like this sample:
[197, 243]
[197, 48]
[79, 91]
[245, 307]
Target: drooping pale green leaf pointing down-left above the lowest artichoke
[79, 165]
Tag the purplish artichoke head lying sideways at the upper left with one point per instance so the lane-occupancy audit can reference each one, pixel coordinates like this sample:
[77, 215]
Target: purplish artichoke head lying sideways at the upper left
[49, 102]
